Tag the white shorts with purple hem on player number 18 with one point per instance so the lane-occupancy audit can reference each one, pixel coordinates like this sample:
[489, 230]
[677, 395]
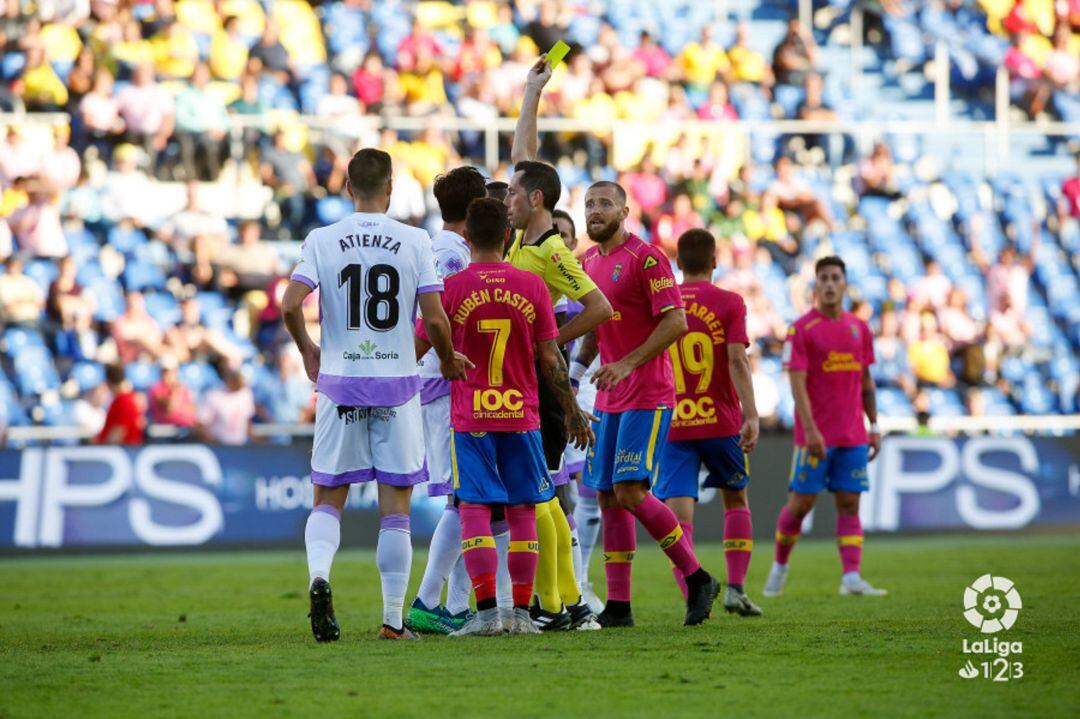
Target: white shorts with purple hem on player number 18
[360, 444]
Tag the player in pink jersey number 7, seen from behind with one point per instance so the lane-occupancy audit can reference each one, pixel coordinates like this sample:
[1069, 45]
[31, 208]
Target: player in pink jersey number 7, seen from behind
[504, 317]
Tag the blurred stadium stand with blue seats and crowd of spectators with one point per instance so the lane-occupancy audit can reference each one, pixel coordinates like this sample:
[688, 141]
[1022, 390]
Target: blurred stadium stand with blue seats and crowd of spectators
[178, 152]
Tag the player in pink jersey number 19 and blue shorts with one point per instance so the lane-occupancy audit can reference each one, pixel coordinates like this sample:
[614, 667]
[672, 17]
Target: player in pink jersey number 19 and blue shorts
[715, 423]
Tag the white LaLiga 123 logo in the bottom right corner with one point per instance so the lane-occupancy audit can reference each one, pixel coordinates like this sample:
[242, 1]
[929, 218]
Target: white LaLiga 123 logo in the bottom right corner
[992, 605]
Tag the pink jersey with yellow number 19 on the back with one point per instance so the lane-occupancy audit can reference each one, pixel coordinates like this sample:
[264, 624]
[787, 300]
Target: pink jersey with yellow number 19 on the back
[707, 405]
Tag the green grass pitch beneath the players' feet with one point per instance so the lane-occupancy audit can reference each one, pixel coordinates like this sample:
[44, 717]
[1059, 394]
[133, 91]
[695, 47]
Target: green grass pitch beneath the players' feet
[225, 635]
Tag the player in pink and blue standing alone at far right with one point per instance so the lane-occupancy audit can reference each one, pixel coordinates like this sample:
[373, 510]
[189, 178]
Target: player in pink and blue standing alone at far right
[828, 356]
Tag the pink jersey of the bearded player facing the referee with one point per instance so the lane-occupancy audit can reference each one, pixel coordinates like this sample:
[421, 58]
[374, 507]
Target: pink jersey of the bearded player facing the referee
[639, 283]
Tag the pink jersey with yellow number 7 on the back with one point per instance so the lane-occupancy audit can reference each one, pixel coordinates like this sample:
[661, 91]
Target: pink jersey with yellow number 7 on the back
[498, 314]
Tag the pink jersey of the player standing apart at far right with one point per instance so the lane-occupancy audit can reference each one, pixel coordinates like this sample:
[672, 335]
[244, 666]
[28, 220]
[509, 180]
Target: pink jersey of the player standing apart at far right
[833, 354]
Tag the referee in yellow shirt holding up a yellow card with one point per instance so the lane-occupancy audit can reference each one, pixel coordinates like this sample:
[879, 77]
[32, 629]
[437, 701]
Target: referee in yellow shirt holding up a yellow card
[532, 197]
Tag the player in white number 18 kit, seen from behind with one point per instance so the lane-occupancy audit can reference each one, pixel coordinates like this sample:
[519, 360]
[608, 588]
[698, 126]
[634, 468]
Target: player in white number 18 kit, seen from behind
[373, 273]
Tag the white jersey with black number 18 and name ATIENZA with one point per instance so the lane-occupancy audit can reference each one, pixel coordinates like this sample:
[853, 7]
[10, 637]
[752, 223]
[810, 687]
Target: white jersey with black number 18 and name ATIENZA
[370, 270]
